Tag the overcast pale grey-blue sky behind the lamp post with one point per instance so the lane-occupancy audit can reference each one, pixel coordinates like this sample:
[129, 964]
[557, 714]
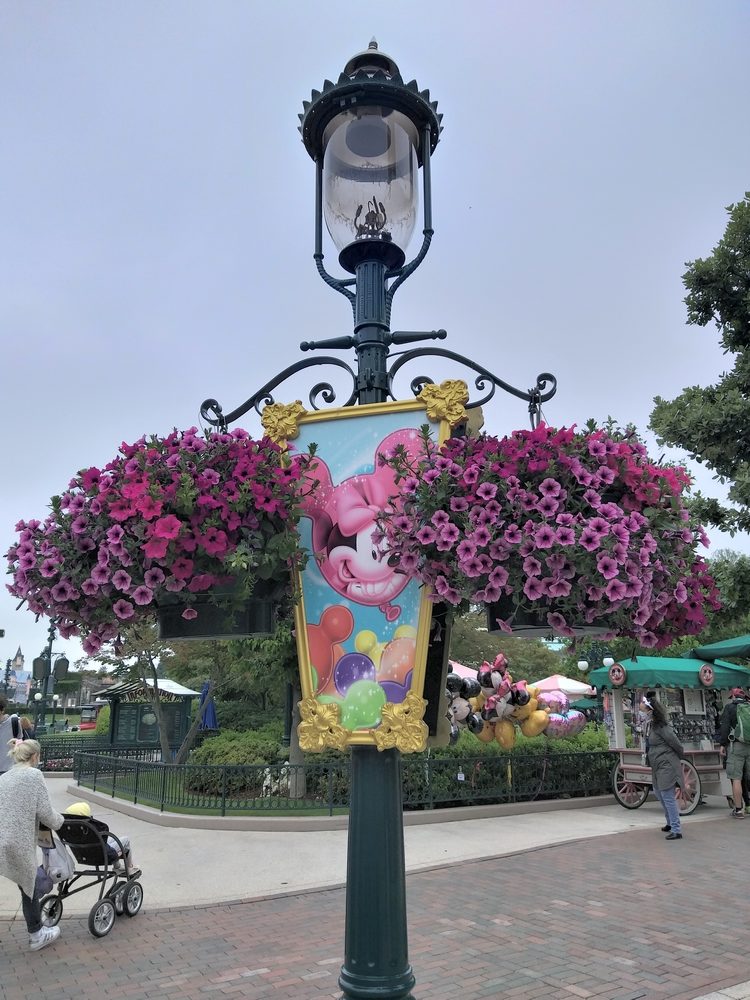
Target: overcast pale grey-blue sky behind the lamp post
[157, 209]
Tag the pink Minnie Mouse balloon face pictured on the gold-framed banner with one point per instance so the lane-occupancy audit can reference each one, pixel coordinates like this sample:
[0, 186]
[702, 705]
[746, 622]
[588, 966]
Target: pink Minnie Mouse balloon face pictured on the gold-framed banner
[343, 521]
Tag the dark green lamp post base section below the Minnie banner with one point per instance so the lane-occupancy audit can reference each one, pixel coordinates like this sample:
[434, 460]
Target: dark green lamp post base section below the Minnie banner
[376, 960]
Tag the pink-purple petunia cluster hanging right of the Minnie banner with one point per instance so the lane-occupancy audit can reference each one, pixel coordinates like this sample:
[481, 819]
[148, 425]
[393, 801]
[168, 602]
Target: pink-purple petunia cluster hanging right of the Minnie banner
[583, 525]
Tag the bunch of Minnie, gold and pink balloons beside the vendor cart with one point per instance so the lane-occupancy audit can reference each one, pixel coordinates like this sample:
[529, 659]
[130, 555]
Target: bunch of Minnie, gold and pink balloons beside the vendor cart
[494, 705]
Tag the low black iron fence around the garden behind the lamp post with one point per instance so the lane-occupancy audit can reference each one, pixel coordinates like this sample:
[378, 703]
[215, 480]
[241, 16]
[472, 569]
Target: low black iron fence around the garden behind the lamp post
[428, 782]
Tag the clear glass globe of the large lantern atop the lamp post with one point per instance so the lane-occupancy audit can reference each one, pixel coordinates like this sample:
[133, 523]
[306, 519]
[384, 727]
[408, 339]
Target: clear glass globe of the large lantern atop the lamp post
[370, 184]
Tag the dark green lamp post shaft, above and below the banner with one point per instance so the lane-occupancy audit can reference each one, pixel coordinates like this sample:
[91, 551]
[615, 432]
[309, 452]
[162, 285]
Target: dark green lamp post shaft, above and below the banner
[376, 953]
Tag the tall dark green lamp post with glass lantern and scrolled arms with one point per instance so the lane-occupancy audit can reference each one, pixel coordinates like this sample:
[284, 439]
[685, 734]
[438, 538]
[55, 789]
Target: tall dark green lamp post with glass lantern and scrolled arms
[369, 135]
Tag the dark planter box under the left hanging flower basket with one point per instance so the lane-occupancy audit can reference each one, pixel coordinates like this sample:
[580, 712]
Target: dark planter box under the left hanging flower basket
[218, 617]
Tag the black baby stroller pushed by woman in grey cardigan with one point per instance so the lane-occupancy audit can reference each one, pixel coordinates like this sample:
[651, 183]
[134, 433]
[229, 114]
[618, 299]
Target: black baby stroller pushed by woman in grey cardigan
[97, 863]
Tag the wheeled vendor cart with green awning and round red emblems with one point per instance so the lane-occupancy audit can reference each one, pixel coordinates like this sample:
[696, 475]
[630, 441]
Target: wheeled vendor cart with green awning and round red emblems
[694, 692]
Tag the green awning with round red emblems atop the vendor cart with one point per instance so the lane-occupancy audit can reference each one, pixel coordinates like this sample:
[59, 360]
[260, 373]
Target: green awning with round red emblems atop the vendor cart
[671, 672]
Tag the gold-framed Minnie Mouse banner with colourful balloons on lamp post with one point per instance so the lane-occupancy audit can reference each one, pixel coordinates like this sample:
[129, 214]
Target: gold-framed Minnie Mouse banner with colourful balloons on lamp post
[362, 625]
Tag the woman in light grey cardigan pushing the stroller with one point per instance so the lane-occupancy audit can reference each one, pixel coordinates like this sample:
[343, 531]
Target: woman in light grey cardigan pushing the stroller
[24, 804]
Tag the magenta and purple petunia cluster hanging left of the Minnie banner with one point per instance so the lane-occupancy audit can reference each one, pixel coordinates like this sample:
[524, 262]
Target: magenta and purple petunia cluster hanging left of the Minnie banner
[172, 515]
